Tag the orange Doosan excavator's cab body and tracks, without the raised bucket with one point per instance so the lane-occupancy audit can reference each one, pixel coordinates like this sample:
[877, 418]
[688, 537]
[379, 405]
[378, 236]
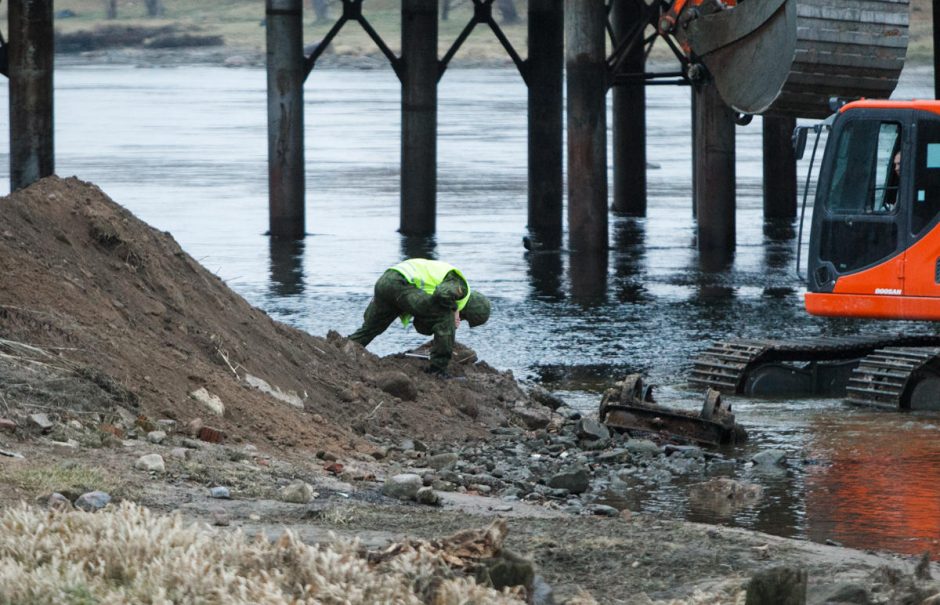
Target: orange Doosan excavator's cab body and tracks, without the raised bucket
[874, 253]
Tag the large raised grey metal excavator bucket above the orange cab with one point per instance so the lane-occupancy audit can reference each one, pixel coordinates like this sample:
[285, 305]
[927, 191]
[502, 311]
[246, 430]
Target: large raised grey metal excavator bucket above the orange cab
[789, 57]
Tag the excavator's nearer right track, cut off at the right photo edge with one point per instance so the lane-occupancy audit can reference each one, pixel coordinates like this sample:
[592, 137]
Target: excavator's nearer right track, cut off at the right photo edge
[887, 377]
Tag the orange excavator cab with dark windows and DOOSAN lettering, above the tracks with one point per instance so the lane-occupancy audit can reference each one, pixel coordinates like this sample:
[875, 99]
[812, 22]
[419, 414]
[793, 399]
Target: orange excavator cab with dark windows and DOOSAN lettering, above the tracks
[875, 242]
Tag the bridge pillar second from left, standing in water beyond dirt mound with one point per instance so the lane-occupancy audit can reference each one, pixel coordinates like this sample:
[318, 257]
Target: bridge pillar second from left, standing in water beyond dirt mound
[285, 65]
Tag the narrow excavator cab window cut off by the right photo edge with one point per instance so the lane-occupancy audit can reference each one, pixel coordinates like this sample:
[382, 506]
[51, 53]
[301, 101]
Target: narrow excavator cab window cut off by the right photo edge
[926, 199]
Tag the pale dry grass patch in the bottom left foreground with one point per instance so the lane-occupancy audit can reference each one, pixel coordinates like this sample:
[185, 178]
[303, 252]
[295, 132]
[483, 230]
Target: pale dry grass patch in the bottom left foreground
[131, 555]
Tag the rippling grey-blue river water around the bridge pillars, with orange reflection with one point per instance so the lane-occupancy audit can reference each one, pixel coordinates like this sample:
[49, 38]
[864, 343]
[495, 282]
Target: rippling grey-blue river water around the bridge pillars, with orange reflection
[185, 149]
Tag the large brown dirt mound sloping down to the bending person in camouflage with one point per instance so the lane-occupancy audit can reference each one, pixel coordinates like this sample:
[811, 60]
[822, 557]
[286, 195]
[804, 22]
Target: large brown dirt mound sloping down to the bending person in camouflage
[99, 311]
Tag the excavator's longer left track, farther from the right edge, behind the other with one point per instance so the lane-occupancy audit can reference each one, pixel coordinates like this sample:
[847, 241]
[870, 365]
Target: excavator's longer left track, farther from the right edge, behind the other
[726, 365]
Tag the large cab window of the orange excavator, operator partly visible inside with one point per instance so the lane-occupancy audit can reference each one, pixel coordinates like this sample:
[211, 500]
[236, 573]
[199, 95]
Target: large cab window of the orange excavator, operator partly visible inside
[861, 197]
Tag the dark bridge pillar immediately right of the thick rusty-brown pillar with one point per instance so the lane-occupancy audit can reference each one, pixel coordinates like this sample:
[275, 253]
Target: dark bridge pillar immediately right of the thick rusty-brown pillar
[629, 112]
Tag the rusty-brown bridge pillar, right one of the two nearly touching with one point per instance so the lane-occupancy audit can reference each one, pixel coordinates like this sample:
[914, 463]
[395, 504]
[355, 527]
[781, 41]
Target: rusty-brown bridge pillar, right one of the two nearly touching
[585, 56]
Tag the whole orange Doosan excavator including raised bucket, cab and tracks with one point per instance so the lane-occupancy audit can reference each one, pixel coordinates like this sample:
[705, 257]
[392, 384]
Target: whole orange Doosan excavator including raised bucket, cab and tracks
[875, 236]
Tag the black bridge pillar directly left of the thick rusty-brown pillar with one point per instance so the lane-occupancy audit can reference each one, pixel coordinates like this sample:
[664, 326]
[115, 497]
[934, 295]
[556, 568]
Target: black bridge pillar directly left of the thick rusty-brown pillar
[545, 79]
